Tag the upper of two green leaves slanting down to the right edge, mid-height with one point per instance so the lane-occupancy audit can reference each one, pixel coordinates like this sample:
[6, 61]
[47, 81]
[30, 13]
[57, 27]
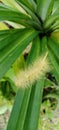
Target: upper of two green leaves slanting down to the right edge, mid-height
[54, 46]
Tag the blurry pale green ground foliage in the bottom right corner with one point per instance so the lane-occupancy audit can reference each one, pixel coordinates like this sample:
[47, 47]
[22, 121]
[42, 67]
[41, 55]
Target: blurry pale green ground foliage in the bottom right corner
[48, 120]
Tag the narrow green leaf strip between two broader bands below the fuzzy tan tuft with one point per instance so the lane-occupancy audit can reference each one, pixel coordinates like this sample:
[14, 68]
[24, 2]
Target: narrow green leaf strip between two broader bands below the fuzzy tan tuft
[23, 110]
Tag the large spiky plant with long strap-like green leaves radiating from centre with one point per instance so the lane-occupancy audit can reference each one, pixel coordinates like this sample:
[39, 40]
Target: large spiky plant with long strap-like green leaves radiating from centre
[31, 21]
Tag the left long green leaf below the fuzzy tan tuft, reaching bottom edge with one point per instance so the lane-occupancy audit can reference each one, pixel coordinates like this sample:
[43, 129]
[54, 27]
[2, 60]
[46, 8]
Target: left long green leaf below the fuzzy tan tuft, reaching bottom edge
[21, 98]
